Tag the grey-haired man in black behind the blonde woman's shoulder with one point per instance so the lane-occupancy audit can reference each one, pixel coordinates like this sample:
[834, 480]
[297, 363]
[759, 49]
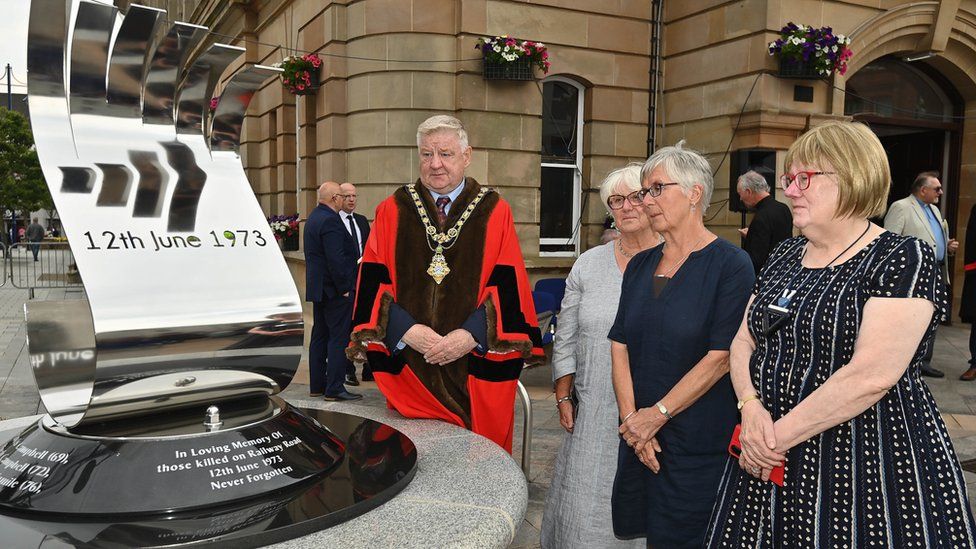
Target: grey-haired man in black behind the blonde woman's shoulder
[772, 221]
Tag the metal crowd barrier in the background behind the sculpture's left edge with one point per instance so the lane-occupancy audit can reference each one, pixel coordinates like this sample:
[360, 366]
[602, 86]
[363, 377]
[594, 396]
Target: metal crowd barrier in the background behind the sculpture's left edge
[32, 265]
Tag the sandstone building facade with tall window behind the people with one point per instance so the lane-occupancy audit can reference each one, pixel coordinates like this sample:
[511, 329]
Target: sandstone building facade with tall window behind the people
[644, 72]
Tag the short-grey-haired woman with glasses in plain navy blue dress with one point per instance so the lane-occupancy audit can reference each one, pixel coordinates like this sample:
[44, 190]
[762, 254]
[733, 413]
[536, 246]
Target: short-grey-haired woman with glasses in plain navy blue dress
[680, 306]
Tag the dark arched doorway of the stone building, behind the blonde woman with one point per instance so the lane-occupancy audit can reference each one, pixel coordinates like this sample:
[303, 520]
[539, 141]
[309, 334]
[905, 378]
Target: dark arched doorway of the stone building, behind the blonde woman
[917, 115]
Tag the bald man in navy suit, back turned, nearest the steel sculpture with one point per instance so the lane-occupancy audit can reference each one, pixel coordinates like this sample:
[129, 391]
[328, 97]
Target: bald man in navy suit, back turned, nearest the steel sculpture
[330, 280]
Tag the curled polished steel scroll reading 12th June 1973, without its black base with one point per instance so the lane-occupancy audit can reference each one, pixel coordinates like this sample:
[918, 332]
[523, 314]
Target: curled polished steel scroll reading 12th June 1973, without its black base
[183, 276]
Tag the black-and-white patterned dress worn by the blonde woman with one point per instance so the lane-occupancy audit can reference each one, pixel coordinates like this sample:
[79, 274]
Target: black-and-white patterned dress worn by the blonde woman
[888, 477]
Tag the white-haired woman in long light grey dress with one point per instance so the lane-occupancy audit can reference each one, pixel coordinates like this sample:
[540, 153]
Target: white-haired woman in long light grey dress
[577, 511]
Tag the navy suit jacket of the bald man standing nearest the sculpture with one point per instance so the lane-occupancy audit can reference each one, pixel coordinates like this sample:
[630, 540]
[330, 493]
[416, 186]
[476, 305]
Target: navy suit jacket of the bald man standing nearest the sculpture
[330, 256]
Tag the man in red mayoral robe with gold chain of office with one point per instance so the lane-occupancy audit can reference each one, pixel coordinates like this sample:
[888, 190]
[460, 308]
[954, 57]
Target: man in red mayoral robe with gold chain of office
[443, 310]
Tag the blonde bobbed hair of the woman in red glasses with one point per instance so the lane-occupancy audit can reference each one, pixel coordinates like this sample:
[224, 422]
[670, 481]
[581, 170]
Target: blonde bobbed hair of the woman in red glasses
[852, 151]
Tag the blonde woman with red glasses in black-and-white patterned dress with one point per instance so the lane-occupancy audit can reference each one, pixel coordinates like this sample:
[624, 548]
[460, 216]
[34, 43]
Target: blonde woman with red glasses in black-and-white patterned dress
[826, 369]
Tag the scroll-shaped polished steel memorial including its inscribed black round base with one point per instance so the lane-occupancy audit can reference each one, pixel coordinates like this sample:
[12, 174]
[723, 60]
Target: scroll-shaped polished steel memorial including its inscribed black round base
[162, 424]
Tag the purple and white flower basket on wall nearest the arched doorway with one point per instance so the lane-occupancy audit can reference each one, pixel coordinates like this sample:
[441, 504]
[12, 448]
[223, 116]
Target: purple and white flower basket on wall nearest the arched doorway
[806, 52]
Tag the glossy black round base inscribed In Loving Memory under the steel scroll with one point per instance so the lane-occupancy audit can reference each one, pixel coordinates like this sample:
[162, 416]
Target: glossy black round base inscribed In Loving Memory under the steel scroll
[374, 462]
